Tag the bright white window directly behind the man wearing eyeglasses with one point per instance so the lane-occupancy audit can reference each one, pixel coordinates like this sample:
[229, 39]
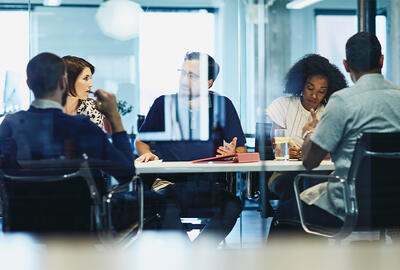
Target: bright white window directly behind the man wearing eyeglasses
[164, 39]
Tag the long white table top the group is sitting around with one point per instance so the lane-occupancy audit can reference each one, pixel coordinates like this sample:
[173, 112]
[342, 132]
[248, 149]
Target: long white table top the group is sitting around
[188, 167]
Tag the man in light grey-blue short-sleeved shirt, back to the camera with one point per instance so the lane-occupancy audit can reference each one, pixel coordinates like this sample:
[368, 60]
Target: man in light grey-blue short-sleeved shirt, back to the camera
[372, 104]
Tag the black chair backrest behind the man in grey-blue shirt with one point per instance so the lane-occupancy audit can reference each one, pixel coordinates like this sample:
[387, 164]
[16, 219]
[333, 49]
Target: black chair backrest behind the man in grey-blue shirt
[375, 176]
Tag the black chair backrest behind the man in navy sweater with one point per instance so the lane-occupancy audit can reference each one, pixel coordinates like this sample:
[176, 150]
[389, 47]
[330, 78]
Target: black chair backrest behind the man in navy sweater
[52, 200]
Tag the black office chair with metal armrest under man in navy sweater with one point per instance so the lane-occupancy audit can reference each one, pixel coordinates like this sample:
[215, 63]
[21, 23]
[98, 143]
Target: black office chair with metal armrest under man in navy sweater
[60, 197]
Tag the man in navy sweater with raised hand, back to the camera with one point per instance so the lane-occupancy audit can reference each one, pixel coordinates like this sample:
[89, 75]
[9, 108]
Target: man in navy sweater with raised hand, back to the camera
[45, 132]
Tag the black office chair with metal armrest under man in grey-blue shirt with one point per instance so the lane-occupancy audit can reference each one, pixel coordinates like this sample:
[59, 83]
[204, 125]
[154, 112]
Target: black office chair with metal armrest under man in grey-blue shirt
[371, 191]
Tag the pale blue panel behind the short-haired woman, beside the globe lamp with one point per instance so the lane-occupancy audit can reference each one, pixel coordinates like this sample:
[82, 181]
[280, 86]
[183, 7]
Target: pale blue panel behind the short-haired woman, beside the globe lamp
[73, 30]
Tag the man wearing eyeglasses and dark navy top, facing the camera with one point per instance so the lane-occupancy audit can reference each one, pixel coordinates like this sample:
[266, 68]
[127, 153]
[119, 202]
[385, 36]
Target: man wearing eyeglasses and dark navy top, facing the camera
[197, 76]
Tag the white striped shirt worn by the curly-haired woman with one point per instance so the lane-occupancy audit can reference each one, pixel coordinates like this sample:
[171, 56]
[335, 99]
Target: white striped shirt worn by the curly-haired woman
[289, 113]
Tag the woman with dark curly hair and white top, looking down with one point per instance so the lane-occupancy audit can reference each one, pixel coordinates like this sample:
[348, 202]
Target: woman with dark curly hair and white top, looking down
[309, 82]
